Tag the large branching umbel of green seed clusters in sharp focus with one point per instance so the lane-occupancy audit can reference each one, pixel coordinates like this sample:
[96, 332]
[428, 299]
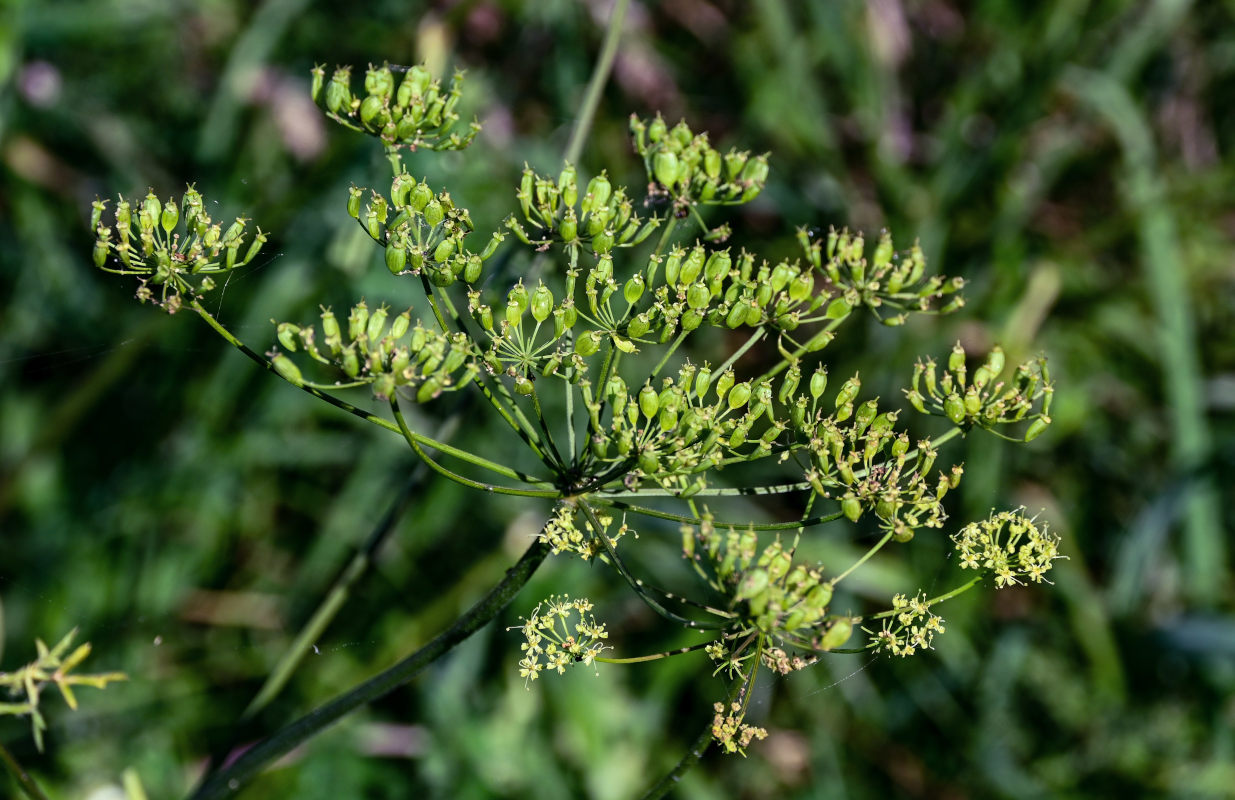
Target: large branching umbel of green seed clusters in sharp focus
[670, 435]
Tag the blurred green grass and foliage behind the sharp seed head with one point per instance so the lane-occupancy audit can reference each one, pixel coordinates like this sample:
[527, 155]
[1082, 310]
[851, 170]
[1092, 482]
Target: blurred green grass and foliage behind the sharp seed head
[1073, 160]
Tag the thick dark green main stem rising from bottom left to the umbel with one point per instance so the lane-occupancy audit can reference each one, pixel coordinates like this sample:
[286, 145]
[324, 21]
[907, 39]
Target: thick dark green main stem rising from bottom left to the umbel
[225, 782]
